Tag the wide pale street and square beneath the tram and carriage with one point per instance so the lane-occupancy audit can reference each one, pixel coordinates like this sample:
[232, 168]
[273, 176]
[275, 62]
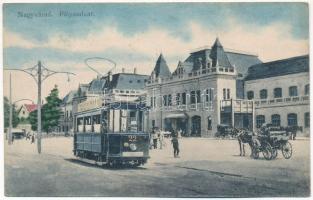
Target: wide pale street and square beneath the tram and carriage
[206, 168]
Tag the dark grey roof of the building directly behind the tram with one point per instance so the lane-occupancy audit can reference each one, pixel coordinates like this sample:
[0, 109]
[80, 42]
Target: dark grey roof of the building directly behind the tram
[127, 81]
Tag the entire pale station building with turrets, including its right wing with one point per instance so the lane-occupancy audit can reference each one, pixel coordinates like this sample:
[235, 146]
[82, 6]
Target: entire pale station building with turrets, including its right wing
[214, 86]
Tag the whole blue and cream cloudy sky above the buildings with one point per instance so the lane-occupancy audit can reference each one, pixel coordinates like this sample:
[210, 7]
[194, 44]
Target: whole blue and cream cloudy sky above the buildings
[134, 35]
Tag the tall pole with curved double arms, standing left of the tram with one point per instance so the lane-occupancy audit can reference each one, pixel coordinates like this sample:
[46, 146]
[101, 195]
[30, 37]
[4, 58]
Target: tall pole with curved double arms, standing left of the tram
[39, 73]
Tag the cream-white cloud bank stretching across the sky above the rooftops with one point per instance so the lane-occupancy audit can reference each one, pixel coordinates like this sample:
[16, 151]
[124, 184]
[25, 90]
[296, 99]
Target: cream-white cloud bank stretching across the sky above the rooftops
[271, 42]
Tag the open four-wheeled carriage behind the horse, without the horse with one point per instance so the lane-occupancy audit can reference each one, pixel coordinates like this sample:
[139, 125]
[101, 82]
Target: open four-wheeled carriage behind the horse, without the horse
[269, 141]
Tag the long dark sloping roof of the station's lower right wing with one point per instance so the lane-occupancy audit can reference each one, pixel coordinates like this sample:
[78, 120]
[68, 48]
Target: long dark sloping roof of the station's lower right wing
[279, 68]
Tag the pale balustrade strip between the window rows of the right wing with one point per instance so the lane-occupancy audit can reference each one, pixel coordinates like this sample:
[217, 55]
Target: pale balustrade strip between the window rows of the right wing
[282, 101]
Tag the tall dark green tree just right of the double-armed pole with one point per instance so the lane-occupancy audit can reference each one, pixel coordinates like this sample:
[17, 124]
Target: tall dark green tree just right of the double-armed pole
[50, 112]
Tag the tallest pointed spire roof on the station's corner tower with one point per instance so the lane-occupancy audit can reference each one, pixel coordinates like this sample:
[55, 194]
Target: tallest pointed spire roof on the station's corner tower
[218, 55]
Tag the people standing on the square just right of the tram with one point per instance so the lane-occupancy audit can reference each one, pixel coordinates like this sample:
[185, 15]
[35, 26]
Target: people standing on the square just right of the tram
[158, 137]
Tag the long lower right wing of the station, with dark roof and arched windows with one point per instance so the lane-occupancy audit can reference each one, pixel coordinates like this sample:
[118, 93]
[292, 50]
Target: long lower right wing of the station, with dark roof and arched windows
[281, 91]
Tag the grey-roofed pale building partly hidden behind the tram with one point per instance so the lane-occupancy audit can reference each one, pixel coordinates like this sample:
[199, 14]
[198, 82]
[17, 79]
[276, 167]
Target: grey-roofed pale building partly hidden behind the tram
[119, 87]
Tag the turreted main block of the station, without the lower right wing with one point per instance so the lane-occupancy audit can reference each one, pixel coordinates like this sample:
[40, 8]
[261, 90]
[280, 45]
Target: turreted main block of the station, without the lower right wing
[191, 97]
